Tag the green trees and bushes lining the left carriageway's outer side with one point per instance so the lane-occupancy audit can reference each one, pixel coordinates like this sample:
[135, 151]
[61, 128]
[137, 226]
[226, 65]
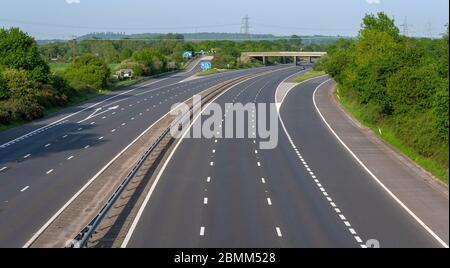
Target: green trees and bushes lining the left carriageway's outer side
[28, 88]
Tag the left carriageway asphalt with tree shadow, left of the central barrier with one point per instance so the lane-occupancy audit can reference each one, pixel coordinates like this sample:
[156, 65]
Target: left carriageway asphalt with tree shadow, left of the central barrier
[44, 163]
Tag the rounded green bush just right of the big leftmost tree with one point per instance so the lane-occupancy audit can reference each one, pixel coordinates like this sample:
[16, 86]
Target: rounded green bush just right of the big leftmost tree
[88, 71]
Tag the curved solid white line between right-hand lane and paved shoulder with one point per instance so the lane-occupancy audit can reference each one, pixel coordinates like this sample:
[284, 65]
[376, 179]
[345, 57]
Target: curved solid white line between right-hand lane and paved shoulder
[428, 229]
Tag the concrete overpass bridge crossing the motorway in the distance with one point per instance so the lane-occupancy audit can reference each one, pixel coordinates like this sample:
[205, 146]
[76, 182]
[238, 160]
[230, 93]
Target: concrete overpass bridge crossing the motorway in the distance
[246, 56]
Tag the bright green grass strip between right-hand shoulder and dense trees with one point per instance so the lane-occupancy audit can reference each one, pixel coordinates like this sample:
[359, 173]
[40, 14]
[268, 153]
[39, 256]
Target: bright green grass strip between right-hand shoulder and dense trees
[386, 133]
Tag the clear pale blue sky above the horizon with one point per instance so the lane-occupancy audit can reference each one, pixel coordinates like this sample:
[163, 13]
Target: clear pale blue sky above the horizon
[62, 19]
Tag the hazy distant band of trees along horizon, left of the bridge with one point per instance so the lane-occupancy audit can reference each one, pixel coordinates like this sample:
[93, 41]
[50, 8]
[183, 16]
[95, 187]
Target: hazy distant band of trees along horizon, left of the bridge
[171, 46]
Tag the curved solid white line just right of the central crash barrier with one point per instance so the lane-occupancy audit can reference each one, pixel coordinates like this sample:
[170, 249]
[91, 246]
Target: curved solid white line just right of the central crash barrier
[161, 171]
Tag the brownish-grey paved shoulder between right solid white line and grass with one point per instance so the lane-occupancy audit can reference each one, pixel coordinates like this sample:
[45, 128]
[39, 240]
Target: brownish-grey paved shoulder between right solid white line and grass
[418, 190]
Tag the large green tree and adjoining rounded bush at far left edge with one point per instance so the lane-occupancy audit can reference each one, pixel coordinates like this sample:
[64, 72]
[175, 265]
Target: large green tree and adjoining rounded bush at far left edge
[28, 88]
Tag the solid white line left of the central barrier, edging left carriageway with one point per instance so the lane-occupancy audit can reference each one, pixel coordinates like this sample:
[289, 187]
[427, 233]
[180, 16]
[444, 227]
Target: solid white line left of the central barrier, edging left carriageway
[42, 229]
